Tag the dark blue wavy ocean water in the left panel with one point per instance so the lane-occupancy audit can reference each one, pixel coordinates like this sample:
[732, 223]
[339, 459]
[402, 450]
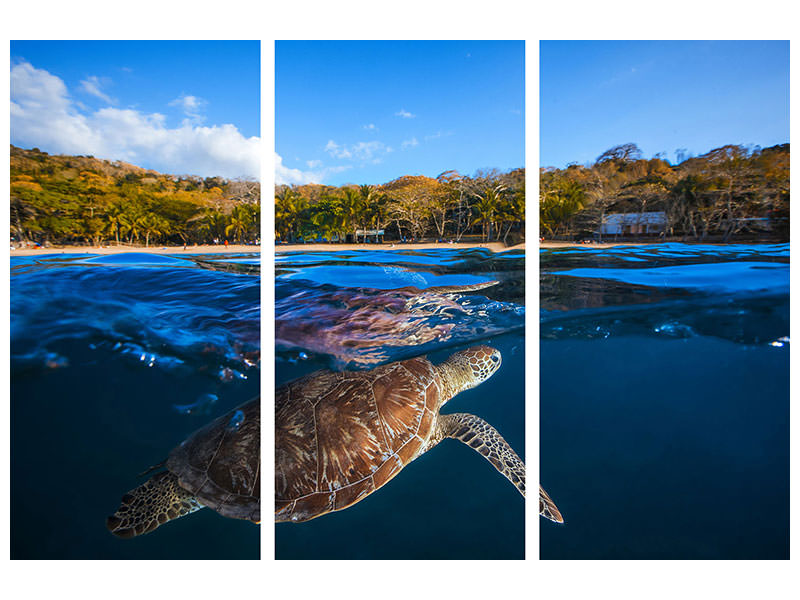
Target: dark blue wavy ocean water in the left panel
[114, 361]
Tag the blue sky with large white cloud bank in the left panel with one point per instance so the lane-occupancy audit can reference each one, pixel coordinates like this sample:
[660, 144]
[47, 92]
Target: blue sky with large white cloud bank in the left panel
[179, 107]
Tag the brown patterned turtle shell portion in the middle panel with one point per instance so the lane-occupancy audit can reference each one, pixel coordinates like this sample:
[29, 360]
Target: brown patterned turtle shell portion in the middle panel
[341, 436]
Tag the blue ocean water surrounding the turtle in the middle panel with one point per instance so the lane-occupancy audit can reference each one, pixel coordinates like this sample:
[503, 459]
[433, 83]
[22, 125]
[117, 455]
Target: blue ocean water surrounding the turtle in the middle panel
[357, 310]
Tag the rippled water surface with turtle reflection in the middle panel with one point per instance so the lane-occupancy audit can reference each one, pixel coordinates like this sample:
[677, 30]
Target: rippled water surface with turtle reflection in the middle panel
[357, 310]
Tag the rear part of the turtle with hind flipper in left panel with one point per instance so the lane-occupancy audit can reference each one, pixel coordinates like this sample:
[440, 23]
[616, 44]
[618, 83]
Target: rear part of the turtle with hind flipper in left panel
[218, 466]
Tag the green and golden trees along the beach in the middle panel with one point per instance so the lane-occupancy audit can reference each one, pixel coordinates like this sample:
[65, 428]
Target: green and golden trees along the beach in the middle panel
[489, 204]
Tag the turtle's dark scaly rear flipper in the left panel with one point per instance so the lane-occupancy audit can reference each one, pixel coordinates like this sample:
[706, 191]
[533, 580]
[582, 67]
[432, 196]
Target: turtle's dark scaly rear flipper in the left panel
[156, 501]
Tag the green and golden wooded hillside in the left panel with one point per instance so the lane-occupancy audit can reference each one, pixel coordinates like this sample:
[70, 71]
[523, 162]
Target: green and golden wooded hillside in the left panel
[84, 200]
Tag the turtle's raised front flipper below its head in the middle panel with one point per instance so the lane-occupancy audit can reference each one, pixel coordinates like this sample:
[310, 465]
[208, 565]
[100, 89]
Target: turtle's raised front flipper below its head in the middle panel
[485, 439]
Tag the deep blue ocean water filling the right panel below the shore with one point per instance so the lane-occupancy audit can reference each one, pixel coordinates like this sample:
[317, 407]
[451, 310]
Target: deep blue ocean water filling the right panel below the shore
[665, 401]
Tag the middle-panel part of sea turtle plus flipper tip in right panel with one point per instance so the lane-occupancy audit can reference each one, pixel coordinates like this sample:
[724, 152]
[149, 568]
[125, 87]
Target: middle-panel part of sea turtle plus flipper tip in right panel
[341, 436]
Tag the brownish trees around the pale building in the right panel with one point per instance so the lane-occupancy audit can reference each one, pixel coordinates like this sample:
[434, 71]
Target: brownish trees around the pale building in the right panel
[731, 191]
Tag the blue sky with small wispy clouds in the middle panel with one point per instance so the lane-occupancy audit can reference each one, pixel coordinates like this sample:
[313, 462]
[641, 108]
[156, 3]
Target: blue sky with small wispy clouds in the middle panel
[367, 112]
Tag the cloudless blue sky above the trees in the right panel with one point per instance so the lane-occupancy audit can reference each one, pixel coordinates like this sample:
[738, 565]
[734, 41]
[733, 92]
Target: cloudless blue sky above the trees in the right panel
[661, 95]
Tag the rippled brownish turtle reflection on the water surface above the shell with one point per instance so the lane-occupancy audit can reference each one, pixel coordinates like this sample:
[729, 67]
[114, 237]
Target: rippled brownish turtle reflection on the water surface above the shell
[358, 325]
